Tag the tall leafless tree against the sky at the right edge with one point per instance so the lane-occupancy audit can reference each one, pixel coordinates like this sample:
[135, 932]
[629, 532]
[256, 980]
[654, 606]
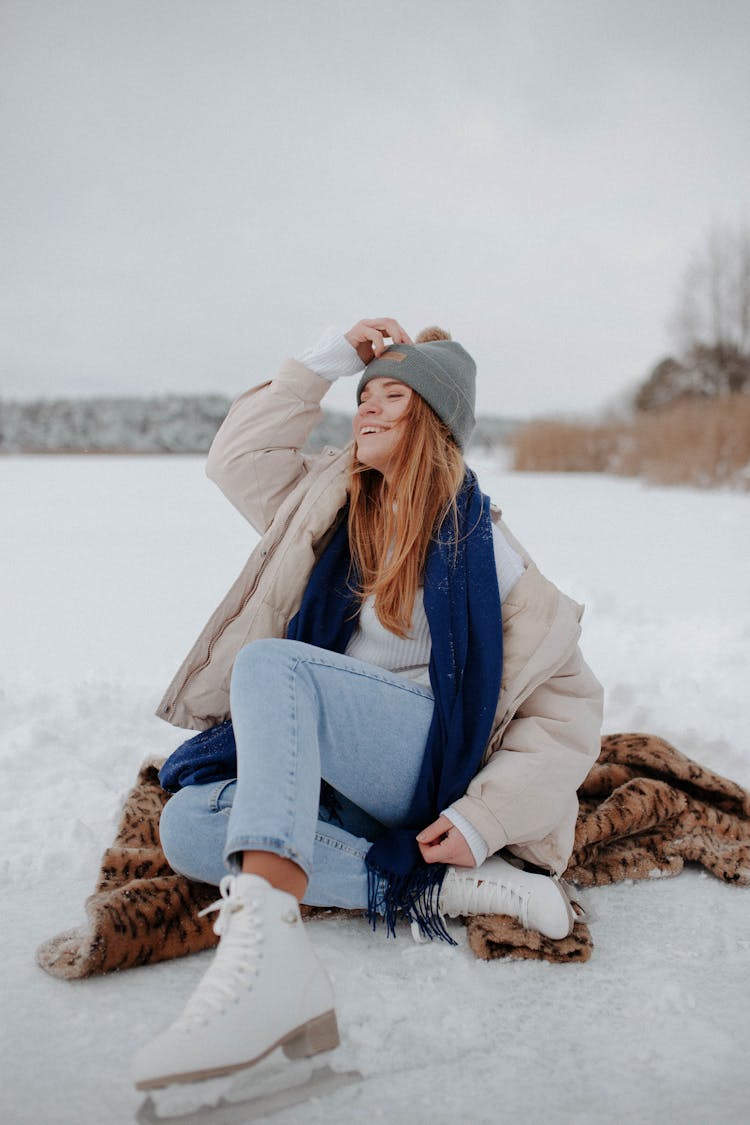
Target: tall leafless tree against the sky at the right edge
[713, 309]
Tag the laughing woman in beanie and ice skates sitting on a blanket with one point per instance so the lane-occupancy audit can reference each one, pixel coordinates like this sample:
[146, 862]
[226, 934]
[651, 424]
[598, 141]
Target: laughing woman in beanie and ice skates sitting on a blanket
[406, 691]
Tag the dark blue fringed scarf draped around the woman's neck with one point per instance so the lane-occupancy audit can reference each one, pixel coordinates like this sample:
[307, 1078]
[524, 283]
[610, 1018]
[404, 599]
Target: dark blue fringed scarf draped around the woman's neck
[463, 606]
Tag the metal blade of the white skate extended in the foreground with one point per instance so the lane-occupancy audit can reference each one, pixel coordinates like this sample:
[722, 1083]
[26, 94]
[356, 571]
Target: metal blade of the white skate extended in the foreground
[247, 1096]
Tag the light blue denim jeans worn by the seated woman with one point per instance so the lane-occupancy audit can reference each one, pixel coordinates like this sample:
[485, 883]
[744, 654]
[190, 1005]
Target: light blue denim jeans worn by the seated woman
[302, 714]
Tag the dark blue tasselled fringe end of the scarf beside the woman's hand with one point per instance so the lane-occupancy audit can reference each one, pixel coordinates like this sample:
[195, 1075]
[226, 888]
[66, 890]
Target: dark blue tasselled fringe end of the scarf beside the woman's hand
[413, 897]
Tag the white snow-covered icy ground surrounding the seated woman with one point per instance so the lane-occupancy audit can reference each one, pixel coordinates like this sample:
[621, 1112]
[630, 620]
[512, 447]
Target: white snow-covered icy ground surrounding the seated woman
[111, 569]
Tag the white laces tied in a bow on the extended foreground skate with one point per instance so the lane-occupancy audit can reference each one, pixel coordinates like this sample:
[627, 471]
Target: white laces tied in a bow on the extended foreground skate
[237, 958]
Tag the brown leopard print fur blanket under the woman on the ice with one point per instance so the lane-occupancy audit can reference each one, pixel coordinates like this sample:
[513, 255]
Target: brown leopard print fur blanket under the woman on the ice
[646, 811]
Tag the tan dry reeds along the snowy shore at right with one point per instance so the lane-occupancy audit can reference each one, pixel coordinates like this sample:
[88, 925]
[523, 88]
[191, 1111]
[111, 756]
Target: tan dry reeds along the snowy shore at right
[695, 442]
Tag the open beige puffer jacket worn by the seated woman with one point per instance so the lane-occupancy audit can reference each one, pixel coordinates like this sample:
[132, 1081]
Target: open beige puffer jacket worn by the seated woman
[547, 730]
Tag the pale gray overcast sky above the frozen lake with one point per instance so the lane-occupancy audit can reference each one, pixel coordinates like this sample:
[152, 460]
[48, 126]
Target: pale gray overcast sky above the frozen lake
[193, 190]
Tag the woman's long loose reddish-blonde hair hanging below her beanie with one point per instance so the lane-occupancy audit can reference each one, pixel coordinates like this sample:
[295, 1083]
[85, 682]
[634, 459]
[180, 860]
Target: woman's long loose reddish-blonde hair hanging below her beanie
[392, 525]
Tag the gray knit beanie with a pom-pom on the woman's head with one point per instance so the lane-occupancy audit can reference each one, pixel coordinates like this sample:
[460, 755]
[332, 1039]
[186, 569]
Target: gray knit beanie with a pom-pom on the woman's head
[441, 372]
